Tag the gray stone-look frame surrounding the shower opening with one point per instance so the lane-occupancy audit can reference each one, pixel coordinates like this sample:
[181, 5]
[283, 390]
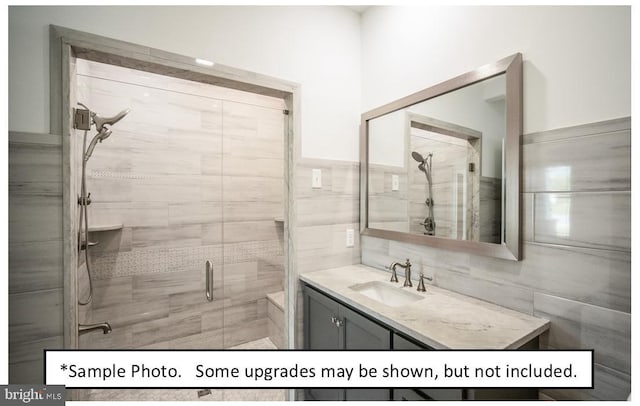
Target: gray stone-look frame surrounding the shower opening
[65, 45]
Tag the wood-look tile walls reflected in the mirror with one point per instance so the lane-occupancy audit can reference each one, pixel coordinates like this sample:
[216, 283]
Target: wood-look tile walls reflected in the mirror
[404, 209]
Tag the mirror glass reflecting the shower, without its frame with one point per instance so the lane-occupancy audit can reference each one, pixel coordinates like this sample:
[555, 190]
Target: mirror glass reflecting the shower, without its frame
[436, 167]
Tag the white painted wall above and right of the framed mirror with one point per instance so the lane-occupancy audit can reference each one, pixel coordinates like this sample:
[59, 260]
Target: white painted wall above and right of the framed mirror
[577, 60]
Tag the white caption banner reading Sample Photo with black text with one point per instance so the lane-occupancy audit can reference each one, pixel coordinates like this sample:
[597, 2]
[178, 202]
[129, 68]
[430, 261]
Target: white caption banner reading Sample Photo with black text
[318, 369]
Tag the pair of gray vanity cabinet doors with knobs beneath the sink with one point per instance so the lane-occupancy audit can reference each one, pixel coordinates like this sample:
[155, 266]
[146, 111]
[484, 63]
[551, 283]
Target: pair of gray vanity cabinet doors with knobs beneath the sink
[329, 325]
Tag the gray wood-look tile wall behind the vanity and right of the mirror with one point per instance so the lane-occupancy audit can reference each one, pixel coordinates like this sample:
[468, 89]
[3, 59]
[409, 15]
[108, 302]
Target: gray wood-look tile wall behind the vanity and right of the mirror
[576, 268]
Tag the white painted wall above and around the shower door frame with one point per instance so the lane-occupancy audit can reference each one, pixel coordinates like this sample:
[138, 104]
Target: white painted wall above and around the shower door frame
[318, 47]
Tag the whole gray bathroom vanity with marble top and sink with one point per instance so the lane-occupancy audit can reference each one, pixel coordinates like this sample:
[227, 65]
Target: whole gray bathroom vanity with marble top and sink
[356, 307]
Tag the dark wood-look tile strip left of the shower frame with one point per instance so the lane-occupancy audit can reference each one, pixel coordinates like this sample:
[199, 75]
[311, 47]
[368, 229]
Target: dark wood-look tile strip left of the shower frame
[35, 252]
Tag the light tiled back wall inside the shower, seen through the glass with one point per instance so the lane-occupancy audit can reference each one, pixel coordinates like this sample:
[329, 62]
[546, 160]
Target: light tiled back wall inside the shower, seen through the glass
[193, 173]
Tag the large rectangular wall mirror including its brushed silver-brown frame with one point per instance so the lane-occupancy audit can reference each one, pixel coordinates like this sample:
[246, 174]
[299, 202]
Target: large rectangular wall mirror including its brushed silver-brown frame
[441, 167]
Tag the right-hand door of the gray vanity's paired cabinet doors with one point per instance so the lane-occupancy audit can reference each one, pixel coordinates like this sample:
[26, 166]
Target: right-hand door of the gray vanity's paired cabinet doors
[360, 333]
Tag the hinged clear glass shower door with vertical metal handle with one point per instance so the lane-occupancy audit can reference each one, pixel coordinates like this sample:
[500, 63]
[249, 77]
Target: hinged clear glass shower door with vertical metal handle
[158, 178]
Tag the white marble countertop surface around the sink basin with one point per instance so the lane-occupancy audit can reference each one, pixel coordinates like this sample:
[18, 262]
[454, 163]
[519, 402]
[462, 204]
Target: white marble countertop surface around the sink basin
[442, 319]
